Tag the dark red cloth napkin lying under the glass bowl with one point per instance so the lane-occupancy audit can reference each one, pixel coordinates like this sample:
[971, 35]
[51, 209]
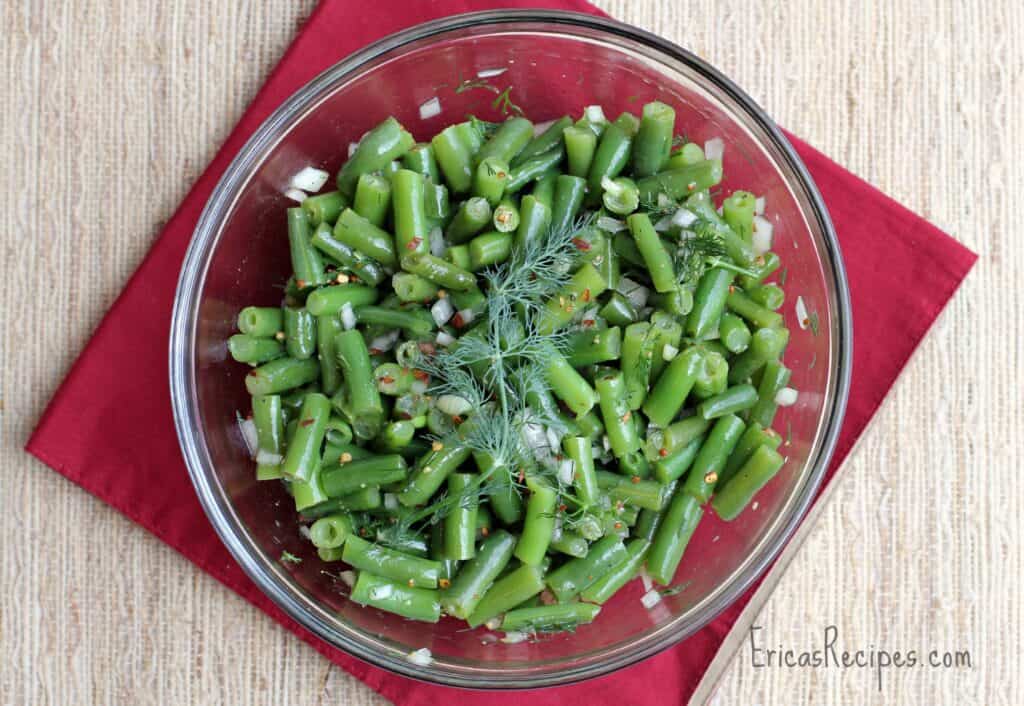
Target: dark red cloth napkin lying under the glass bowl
[109, 428]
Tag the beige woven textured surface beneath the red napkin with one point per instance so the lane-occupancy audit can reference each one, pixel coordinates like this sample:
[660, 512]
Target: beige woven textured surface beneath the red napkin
[106, 142]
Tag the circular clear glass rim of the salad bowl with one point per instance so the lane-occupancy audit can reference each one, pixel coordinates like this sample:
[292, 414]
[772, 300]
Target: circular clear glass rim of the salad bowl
[185, 320]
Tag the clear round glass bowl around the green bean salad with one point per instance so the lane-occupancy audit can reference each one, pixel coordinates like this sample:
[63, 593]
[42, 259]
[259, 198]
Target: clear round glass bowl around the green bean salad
[554, 64]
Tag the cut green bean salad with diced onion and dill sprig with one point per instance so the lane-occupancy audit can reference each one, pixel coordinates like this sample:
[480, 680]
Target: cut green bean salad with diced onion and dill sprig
[516, 364]
